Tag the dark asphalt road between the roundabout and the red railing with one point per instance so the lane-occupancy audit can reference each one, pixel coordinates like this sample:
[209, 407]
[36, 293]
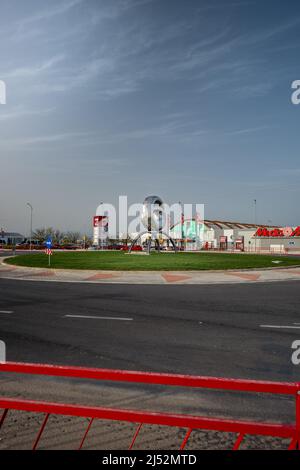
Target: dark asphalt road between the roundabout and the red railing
[210, 330]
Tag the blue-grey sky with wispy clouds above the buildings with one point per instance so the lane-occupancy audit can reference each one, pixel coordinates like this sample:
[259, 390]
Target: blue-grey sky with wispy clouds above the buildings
[189, 100]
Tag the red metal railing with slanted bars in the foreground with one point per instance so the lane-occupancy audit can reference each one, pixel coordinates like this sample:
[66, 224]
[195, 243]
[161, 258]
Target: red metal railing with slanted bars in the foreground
[190, 423]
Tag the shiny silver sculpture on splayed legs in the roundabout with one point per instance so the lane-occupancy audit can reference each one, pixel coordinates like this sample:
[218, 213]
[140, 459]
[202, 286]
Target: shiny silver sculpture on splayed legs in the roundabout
[153, 219]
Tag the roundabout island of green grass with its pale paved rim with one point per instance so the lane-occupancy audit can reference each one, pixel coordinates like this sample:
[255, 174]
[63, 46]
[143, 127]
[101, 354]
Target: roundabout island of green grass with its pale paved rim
[164, 268]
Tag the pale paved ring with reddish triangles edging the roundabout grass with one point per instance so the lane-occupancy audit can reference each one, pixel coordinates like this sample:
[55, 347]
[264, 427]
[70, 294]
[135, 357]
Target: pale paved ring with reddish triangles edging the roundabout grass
[150, 277]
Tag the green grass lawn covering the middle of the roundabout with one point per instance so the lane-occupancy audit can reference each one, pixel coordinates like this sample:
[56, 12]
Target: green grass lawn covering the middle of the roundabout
[157, 262]
